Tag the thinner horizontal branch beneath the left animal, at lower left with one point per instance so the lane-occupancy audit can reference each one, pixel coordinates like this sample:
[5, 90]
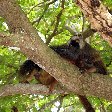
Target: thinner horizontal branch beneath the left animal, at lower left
[27, 89]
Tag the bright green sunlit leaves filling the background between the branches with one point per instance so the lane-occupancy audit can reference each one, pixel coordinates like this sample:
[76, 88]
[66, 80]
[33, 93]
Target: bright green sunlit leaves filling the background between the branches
[43, 16]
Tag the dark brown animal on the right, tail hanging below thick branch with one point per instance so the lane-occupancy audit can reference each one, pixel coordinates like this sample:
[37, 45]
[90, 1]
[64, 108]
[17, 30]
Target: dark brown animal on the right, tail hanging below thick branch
[88, 60]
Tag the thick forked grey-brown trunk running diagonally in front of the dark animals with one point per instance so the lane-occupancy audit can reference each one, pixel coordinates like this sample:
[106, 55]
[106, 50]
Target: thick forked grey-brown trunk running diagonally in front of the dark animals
[35, 49]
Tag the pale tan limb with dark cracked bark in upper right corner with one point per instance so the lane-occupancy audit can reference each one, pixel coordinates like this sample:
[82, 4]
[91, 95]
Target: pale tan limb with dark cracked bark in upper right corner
[99, 17]
